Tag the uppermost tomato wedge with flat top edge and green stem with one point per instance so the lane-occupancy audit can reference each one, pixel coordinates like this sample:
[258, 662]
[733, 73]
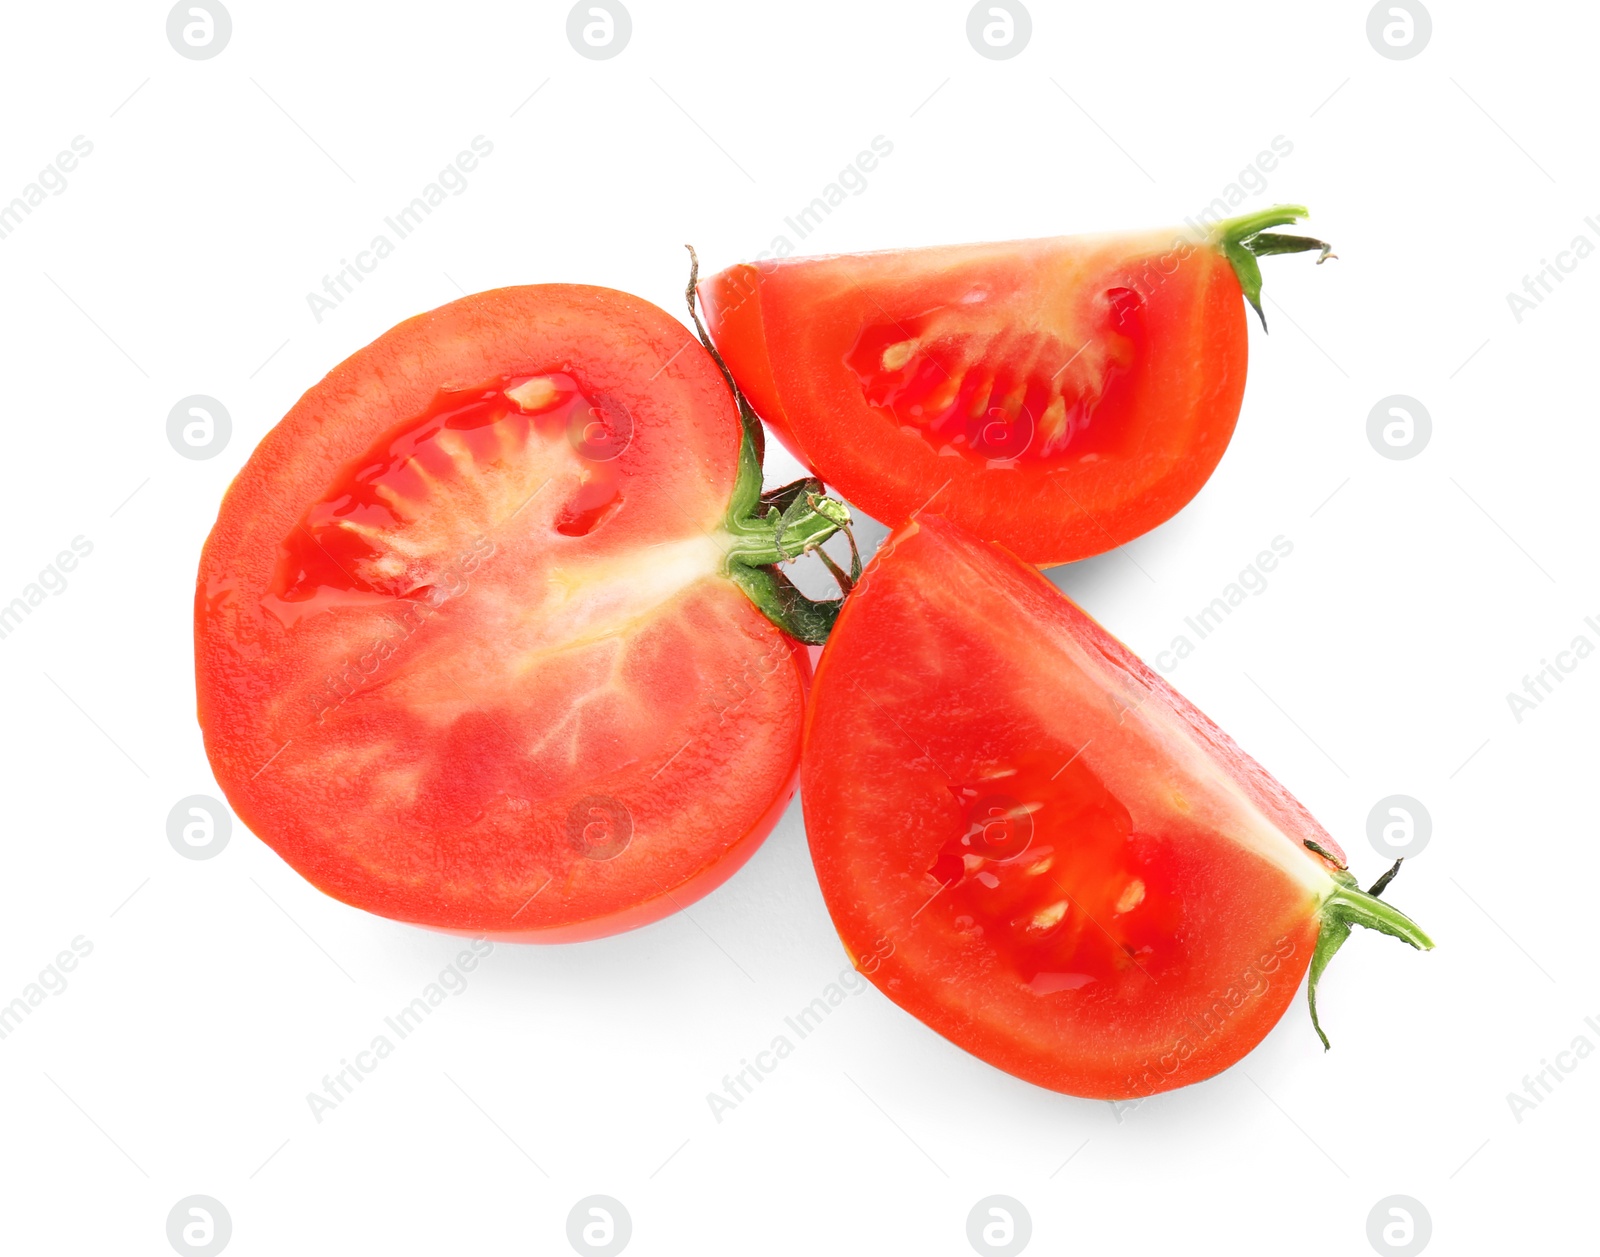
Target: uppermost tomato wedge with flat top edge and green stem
[1057, 396]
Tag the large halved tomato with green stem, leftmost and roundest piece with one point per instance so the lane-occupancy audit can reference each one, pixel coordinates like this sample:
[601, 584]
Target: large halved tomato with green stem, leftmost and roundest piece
[484, 637]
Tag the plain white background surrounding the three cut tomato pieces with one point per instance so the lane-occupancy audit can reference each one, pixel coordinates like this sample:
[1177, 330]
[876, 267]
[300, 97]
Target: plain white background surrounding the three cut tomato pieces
[1418, 594]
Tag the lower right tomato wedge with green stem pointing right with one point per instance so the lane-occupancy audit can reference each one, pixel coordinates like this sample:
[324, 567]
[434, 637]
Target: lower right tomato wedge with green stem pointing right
[1036, 847]
